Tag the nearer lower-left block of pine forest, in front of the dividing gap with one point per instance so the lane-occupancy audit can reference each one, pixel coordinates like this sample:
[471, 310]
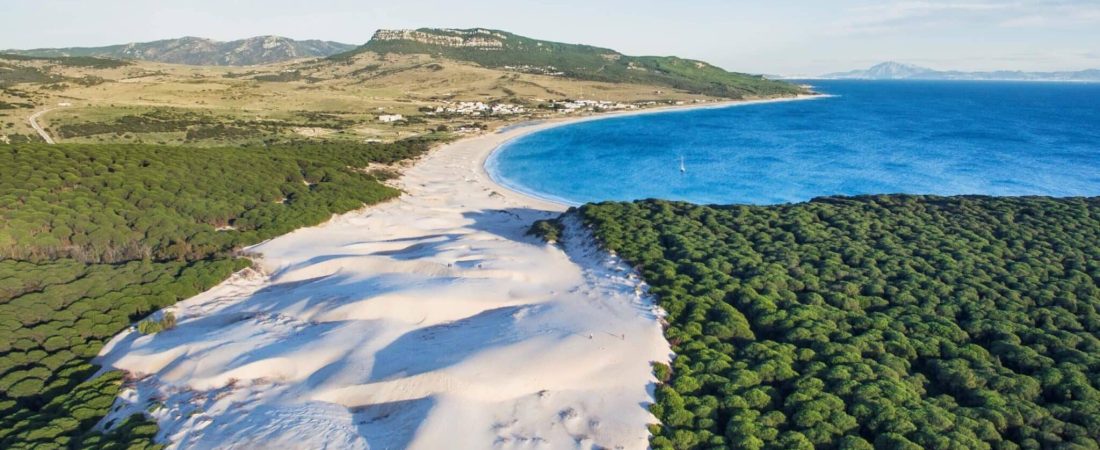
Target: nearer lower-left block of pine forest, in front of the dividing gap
[54, 319]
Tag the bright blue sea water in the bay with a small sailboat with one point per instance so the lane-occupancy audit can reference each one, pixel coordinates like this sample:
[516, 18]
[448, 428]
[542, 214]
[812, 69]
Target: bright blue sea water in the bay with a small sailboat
[944, 138]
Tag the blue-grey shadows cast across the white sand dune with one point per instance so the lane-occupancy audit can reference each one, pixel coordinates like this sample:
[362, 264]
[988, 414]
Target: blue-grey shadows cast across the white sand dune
[274, 323]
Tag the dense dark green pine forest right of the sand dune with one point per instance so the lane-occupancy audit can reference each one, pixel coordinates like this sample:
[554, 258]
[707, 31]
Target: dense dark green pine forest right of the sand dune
[878, 322]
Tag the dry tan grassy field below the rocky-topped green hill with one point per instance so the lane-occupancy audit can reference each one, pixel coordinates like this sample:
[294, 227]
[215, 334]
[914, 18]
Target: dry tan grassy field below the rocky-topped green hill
[315, 100]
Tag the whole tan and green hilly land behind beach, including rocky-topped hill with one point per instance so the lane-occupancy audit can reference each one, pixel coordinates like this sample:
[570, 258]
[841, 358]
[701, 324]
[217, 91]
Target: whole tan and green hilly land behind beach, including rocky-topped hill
[436, 84]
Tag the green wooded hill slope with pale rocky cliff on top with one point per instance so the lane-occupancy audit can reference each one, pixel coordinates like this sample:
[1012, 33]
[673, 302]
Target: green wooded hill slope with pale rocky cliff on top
[502, 50]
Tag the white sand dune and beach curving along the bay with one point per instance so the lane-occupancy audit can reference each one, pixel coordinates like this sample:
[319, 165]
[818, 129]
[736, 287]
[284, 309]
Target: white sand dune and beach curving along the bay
[430, 322]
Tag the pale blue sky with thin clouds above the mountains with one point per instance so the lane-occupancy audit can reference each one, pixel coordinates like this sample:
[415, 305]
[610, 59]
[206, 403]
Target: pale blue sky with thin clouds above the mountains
[780, 37]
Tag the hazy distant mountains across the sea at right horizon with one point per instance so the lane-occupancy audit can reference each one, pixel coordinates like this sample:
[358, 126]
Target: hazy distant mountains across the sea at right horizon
[898, 71]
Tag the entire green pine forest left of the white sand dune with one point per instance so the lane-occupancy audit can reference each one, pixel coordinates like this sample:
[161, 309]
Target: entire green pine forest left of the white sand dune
[94, 238]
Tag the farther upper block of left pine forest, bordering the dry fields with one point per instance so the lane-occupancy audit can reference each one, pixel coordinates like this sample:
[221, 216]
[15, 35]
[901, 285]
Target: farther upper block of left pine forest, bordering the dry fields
[123, 203]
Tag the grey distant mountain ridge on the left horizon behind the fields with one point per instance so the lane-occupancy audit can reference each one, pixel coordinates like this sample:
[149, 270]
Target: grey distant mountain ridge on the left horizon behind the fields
[199, 51]
